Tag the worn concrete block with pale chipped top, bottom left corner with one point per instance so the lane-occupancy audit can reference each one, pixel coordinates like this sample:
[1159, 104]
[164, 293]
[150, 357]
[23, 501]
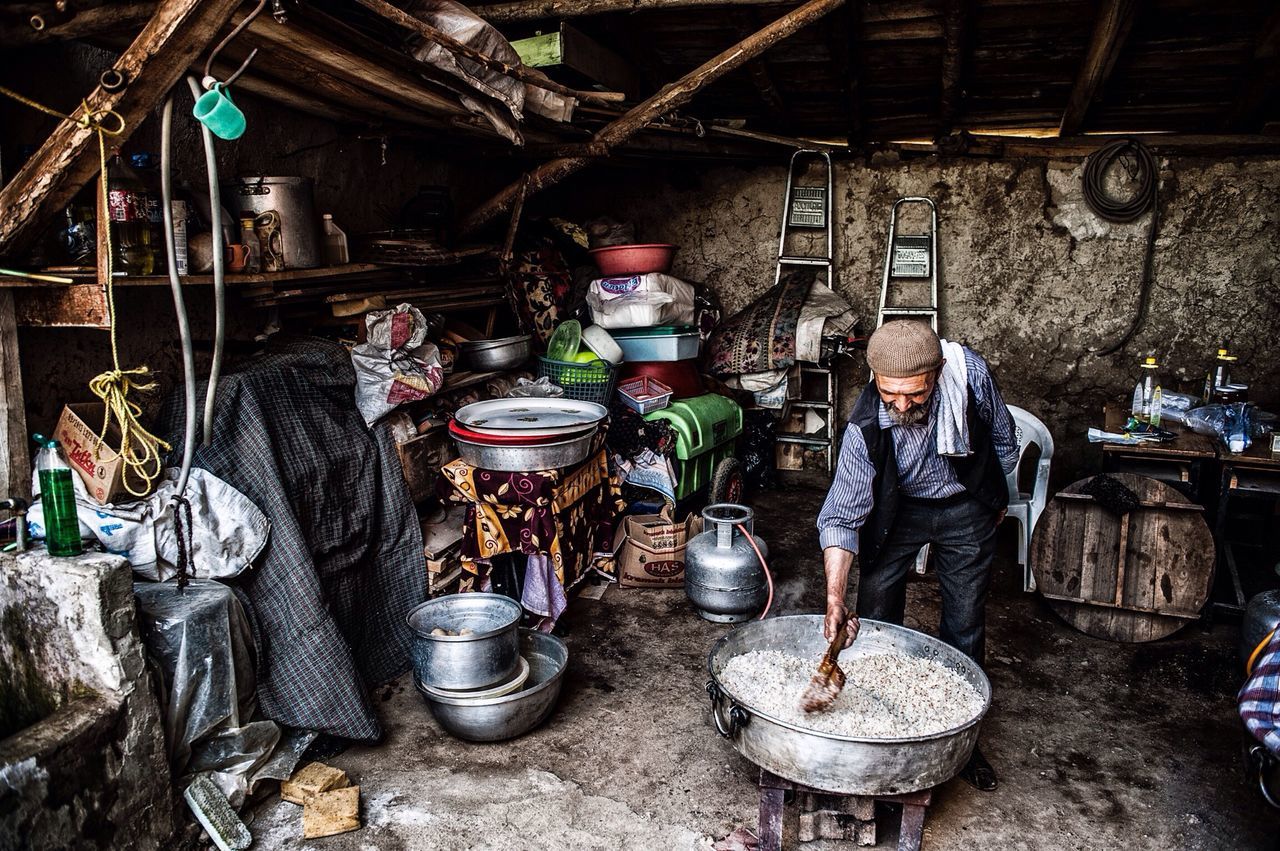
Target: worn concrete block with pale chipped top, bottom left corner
[88, 767]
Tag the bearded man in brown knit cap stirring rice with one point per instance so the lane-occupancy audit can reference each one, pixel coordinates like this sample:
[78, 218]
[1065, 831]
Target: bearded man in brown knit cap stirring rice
[895, 492]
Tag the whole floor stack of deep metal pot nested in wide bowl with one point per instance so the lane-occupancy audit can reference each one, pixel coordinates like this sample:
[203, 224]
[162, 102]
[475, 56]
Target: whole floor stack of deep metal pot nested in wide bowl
[483, 678]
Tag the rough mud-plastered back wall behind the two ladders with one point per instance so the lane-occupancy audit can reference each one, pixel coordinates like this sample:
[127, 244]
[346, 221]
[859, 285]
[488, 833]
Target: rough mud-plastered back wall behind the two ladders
[1031, 278]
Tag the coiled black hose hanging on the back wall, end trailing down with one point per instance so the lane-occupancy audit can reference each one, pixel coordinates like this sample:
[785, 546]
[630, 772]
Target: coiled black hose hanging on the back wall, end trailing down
[1141, 167]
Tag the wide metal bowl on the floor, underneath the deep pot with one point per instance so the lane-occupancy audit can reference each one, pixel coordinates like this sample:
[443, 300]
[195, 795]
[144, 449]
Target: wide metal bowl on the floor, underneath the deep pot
[499, 719]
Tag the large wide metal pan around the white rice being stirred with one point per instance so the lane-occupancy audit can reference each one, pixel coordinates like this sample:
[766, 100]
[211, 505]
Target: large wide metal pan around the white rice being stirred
[843, 765]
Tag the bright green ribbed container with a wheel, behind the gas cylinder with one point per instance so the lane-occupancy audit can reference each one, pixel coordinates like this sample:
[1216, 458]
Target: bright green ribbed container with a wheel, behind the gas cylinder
[707, 429]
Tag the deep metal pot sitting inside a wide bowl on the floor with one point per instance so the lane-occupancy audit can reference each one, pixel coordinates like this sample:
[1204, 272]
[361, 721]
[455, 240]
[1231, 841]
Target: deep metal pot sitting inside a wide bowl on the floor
[487, 657]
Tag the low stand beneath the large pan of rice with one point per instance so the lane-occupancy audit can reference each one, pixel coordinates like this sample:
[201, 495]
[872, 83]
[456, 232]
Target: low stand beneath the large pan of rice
[828, 816]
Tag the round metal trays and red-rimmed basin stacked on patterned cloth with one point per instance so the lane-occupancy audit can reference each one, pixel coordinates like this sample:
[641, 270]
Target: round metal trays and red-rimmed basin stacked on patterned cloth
[525, 436]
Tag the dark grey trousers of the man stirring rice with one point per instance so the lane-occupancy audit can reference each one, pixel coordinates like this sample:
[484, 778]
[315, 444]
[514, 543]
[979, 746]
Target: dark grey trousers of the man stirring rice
[963, 536]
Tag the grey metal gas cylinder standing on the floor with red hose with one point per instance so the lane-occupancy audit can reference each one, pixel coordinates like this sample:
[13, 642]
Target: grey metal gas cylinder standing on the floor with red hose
[724, 577]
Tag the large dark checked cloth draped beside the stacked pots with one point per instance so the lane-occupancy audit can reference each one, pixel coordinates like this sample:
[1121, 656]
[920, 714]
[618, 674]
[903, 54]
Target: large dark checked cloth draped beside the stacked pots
[344, 566]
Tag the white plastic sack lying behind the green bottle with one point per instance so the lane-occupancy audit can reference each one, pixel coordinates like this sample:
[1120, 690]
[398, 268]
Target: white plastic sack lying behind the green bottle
[230, 532]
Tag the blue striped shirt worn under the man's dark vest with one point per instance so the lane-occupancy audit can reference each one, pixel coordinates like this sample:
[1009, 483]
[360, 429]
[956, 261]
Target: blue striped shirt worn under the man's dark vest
[922, 472]
